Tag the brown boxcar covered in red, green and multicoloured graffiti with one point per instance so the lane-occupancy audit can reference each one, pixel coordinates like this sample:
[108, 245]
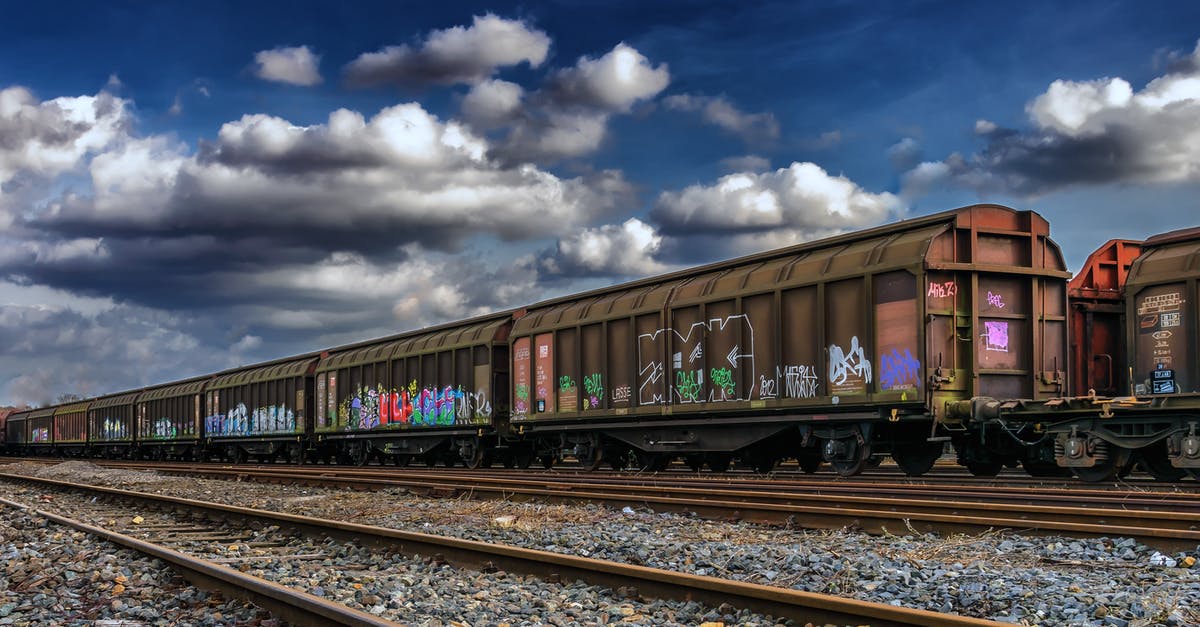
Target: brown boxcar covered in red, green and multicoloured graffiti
[435, 395]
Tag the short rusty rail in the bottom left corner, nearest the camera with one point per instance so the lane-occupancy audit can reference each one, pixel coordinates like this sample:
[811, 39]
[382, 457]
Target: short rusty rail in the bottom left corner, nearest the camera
[295, 606]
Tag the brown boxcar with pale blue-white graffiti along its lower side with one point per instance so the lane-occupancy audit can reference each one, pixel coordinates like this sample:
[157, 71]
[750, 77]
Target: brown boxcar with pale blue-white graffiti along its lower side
[259, 410]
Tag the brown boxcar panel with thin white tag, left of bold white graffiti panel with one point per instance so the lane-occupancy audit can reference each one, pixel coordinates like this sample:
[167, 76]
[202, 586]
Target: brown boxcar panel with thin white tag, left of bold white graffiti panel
[802, 361]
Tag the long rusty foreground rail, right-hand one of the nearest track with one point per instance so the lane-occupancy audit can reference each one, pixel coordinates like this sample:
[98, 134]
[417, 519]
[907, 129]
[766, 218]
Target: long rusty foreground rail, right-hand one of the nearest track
[779, 602]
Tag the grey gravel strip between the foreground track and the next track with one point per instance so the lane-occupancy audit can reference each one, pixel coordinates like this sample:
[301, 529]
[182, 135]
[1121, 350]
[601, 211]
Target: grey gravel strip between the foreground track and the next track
[999, 576]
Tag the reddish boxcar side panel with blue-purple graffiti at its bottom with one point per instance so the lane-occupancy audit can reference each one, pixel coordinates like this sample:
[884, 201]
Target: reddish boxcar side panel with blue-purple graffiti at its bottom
[897, 321]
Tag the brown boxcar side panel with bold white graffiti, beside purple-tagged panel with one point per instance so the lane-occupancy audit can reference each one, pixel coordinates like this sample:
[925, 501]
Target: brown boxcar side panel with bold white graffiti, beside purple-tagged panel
[851, 372]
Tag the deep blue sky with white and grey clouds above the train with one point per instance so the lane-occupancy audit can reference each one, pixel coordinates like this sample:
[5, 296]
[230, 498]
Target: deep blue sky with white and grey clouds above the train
[190, 188]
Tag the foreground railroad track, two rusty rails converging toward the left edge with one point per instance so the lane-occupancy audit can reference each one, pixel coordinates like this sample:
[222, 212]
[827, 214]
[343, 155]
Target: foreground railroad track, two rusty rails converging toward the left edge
[191, 528]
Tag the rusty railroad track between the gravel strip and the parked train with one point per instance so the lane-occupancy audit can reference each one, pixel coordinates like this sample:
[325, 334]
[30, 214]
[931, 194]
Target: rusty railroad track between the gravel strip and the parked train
[1162, 519]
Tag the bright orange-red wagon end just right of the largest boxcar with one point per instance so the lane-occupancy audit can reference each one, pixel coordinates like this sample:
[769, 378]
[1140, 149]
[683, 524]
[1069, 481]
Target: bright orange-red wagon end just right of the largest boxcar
[1099, 321]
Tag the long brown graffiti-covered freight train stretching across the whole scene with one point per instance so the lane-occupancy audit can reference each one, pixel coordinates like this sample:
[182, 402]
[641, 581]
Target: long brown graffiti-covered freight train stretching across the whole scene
[962, 327]
